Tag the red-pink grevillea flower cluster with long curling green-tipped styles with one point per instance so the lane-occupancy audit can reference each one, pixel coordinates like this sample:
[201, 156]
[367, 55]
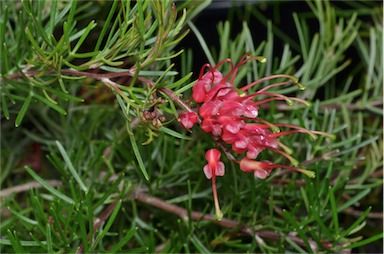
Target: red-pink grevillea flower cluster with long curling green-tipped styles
[230, 116]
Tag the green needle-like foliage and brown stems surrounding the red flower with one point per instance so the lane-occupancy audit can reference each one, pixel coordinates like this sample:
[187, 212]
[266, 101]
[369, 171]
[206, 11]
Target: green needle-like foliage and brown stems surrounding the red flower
[94, 93]
